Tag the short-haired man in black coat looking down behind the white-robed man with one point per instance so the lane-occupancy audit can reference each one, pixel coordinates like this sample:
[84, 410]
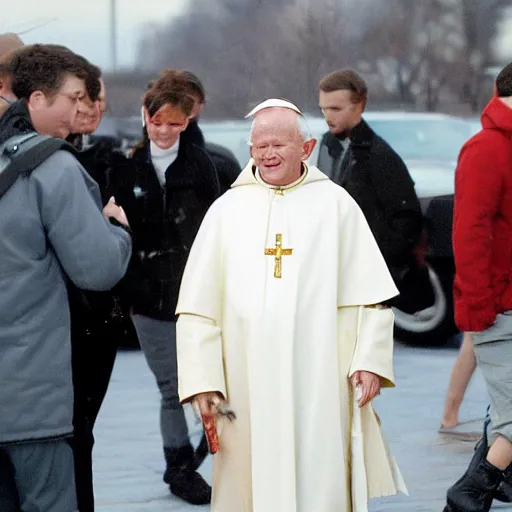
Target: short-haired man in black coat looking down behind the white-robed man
[356, 158]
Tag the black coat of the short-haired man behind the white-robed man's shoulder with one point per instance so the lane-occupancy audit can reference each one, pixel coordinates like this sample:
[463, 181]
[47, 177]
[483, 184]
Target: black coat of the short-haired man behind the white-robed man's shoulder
[378, 180]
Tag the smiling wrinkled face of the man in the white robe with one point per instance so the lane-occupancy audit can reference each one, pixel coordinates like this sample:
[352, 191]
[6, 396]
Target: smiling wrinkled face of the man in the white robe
[277, 146]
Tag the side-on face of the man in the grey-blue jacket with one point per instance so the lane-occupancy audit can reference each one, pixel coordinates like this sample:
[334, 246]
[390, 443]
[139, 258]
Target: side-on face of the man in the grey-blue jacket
[56, 115]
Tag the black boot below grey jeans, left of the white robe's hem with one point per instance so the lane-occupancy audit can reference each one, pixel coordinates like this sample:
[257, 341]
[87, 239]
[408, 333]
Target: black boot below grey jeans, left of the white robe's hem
[183, 479]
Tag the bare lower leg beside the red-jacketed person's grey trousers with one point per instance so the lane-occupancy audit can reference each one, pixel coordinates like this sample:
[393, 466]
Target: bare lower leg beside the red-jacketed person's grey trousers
[462, 372]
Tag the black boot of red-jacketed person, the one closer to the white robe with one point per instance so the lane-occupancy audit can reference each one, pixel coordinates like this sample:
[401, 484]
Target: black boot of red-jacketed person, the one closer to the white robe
[475, 491]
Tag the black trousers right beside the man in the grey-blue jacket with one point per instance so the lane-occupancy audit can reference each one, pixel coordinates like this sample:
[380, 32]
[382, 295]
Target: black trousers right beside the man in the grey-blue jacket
[93, 357]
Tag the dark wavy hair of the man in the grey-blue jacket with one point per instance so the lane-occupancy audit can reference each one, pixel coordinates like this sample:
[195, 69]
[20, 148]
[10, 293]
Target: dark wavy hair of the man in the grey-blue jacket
[42, 67]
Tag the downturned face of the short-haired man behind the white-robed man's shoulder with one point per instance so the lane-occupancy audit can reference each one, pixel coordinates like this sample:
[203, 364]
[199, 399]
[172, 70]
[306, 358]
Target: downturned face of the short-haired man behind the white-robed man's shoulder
[339, 111]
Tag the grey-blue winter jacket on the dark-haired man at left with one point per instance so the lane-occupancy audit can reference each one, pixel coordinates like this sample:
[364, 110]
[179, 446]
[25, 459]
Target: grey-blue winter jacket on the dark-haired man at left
[51, 226]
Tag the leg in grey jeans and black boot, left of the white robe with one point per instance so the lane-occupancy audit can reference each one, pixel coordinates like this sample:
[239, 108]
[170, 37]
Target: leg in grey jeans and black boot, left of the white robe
[158, 342]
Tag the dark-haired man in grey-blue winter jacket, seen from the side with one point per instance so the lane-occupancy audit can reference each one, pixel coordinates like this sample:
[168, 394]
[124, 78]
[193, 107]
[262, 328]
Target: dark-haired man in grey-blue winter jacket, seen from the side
[51, 229]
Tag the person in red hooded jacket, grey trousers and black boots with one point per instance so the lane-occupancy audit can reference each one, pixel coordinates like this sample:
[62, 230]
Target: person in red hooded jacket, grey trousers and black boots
[482, 244]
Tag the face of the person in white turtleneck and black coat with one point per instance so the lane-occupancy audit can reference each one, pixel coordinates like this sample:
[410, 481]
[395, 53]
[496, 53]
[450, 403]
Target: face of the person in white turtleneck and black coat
[166, 125]
